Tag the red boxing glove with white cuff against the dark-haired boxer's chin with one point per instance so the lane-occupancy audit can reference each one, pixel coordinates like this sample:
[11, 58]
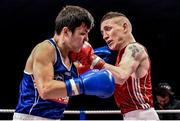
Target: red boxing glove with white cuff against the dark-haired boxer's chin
[87, 57]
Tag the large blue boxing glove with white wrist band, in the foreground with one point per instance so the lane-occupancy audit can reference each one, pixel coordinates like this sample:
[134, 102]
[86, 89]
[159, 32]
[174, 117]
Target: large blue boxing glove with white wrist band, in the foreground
[94, 82]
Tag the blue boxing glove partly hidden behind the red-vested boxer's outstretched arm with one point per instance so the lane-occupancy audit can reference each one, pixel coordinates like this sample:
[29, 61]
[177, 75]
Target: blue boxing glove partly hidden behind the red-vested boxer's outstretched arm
[109, 56]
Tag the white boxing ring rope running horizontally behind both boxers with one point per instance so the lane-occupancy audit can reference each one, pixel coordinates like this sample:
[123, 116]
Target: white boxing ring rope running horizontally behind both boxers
[94, 111]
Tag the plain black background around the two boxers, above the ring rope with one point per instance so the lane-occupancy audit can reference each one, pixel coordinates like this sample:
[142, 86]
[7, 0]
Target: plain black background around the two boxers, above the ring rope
[24, 23]
